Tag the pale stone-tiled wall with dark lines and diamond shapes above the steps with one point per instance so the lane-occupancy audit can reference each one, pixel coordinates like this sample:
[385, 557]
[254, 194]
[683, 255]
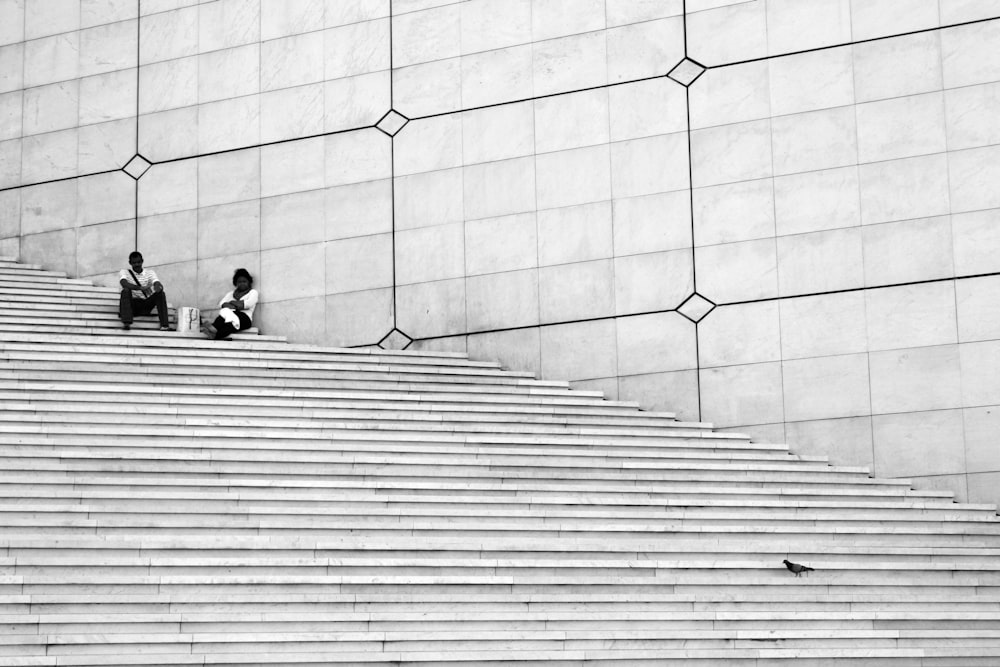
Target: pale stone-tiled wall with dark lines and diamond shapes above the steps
[782, 217]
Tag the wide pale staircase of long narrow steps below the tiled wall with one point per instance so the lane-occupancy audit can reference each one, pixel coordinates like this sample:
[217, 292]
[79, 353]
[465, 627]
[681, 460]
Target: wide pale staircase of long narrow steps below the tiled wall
[176, 501]
